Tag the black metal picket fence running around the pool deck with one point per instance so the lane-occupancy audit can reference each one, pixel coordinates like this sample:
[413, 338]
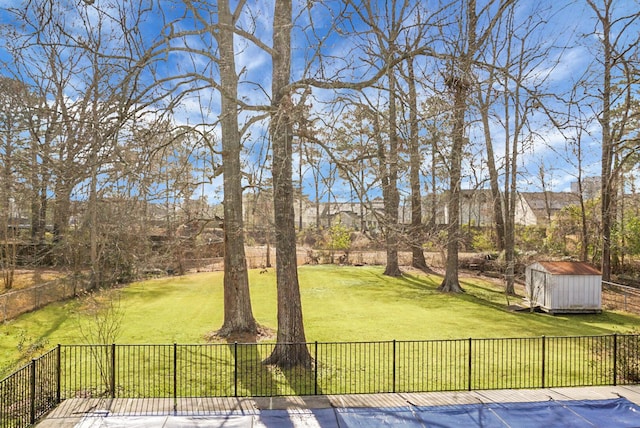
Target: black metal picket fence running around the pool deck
[236, 369]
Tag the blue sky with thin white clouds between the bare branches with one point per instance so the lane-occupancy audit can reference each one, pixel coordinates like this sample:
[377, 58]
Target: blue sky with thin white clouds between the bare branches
[569, 35]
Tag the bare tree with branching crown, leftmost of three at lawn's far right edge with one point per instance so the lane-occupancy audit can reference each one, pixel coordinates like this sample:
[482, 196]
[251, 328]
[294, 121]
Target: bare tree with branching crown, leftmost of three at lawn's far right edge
[388, 26]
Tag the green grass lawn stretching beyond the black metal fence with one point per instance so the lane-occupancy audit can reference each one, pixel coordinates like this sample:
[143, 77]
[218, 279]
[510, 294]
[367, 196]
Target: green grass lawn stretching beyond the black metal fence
[339, 304]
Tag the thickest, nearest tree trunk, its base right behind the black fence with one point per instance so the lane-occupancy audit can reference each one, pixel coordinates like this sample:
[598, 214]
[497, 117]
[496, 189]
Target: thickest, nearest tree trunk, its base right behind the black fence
[290, 349]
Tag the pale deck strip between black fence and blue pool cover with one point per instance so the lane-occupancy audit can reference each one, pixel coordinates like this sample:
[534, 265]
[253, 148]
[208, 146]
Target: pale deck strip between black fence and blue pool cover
[71, 411]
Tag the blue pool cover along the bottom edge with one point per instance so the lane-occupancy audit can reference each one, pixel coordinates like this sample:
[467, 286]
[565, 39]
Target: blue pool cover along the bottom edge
[592, 413]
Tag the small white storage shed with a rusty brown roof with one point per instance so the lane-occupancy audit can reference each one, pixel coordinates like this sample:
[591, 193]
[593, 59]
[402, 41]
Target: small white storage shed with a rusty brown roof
[564, 287]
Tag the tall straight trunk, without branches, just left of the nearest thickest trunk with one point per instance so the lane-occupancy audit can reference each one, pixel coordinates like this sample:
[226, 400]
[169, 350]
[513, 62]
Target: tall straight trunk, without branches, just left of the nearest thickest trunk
[238, 314]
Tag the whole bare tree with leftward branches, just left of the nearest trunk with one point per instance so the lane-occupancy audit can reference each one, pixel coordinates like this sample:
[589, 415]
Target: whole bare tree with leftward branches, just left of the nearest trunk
[208, 38]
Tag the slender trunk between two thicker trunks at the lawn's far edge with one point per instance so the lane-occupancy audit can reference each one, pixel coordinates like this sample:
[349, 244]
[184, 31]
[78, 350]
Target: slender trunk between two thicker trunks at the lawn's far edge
[417, 228]
